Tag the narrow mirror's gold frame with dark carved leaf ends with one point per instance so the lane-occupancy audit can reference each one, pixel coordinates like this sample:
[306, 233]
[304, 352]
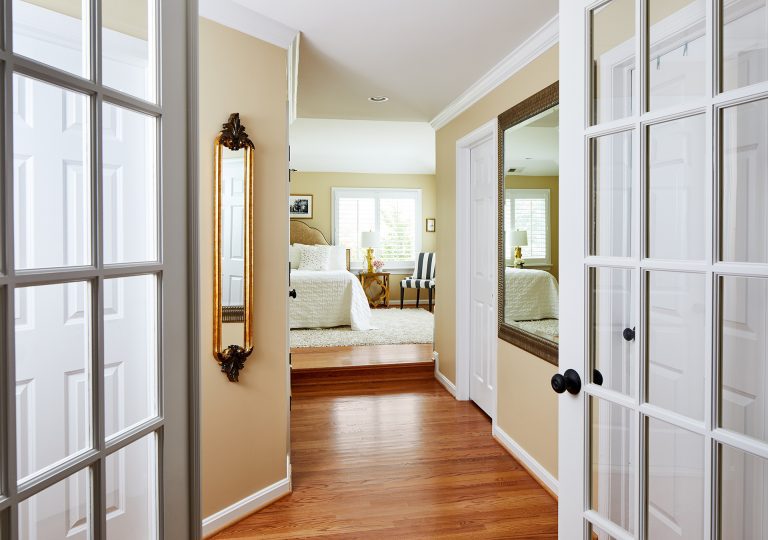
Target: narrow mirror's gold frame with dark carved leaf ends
[232, 357]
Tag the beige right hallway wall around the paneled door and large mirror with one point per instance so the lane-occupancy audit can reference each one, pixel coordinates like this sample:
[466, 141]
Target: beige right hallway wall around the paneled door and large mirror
[527, 408]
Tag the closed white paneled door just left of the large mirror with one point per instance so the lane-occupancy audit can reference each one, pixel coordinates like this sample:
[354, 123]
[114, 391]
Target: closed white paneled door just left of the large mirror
[483, 168]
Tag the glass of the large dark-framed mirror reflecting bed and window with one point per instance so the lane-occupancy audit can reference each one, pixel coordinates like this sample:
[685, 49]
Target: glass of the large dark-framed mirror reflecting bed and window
[530, 225]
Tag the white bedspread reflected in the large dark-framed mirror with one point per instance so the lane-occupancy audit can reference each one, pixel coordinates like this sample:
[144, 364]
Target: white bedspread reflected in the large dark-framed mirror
[530, 295]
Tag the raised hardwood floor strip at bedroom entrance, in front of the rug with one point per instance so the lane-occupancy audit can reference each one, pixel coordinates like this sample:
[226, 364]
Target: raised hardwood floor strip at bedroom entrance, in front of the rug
[331, 357]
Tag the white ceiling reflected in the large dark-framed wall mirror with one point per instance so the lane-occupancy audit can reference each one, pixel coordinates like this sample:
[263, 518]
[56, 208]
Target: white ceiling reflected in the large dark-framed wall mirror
[532, 146]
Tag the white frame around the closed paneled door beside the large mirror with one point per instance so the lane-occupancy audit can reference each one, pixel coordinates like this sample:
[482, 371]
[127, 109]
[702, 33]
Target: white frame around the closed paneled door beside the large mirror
[487, 131]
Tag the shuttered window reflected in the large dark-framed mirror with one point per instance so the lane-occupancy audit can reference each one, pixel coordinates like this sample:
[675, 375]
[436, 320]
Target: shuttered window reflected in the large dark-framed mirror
[528, 210]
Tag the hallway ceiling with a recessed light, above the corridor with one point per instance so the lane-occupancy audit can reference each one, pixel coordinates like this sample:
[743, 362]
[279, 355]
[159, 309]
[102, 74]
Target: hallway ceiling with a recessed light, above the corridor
[421, 54]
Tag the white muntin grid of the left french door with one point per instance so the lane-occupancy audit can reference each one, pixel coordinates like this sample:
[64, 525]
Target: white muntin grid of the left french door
[91, 460]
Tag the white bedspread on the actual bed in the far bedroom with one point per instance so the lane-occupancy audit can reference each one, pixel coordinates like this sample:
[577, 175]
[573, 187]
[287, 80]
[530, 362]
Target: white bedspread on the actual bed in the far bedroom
[327, 299]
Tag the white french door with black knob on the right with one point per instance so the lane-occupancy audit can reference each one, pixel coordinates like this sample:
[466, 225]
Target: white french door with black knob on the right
[664, 289]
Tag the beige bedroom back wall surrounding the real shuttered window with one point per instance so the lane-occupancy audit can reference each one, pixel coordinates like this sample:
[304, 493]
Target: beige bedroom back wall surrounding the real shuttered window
[319, 185]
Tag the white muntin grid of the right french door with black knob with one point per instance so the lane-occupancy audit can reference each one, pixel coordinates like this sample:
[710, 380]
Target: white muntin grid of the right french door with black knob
[745, 265]
